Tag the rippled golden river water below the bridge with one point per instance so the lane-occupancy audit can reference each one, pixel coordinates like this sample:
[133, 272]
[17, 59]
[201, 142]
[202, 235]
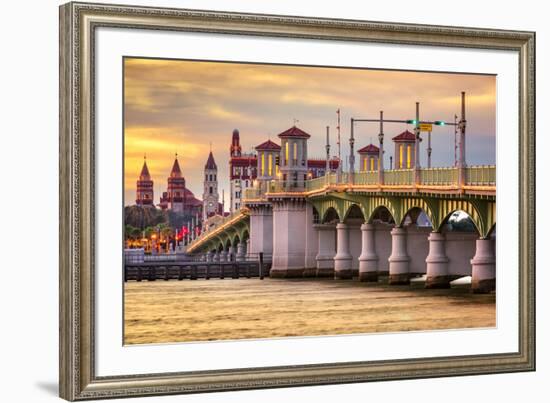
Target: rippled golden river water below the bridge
[201, 310]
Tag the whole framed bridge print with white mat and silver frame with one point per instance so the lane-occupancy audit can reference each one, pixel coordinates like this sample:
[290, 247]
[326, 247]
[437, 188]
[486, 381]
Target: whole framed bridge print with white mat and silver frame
[255, 201]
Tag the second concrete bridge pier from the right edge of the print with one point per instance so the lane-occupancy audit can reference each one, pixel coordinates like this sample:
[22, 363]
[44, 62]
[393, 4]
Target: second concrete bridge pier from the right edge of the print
[437, 263]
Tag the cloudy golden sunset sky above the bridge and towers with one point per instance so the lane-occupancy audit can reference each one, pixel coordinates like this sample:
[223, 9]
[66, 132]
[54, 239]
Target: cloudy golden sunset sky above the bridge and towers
[183, 106]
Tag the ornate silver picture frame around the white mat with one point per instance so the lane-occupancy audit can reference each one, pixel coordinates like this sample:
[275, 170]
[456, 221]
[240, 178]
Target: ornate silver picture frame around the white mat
[78, 159]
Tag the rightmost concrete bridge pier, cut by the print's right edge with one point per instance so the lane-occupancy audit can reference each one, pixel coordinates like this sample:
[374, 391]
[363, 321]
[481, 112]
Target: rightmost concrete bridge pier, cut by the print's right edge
[483, 267]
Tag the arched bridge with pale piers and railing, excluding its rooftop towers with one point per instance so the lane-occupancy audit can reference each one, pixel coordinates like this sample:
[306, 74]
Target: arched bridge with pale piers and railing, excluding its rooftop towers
[364, 225]
